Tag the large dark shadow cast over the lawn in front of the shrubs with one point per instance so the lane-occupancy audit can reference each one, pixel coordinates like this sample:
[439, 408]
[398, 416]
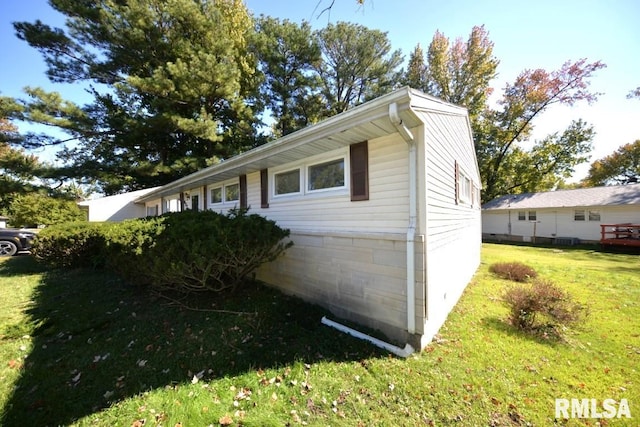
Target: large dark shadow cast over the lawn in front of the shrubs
[99, 340]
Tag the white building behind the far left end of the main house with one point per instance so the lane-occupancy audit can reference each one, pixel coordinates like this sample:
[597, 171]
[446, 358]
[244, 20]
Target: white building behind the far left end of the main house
[116, 208]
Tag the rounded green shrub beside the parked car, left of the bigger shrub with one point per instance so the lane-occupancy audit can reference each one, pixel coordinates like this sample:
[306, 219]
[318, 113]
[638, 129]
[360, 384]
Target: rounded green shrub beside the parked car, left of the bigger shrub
[71, 245]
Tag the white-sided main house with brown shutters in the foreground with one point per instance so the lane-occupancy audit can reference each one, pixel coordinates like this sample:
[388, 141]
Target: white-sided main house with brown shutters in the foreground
[382, 202]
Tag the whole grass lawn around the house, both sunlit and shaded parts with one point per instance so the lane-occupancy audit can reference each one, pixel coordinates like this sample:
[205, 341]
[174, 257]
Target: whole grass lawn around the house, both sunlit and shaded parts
[82, 348]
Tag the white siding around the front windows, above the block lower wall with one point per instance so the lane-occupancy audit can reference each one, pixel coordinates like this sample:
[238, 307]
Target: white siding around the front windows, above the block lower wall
[332, 209]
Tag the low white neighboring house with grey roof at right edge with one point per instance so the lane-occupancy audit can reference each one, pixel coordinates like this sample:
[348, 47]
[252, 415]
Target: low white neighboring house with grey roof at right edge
[564, 216]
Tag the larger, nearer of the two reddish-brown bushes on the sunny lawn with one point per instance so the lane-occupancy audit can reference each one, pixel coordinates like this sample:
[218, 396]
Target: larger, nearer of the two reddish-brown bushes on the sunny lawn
[542, 307]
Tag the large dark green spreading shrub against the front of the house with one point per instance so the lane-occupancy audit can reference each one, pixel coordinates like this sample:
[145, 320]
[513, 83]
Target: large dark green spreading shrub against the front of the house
[195, 251]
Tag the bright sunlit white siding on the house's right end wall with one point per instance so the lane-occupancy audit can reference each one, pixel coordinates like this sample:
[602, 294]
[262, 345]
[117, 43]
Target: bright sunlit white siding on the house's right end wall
[452, 230]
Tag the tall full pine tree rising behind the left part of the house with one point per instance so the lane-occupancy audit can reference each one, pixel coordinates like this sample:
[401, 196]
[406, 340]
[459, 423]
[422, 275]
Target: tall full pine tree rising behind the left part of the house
[171, 81]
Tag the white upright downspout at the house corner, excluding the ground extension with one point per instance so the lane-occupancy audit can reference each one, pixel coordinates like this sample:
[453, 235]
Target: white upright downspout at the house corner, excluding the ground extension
[413, 215]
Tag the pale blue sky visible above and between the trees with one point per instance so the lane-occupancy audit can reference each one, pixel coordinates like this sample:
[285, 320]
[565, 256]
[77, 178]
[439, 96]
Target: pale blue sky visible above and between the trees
[527, 35]
